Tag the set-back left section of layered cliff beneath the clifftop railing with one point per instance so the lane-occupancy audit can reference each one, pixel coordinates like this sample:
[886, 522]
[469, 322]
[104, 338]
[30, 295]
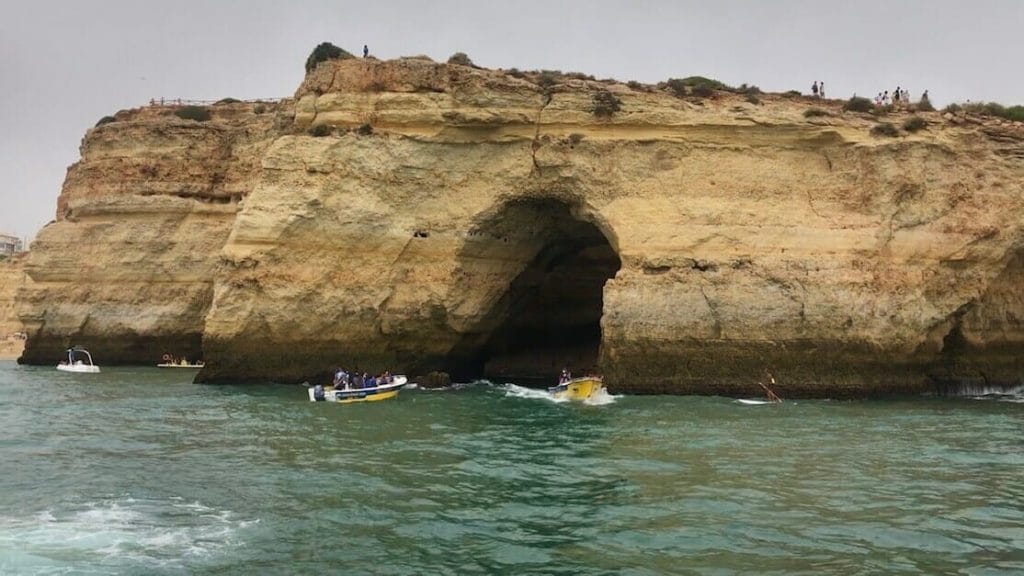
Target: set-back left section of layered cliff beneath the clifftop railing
[127, 269]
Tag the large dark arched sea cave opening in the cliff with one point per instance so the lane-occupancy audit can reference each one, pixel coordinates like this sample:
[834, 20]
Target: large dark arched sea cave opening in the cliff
[532, 280]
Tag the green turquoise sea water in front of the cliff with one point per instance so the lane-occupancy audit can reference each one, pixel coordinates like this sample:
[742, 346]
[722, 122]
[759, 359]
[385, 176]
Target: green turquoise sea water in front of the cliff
[140, 472]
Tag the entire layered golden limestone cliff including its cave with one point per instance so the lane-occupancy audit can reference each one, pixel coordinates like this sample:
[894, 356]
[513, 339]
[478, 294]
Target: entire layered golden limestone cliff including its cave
[486, 224]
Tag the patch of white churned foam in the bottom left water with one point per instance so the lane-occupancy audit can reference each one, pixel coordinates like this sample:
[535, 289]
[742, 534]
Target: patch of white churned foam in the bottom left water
[118, 531]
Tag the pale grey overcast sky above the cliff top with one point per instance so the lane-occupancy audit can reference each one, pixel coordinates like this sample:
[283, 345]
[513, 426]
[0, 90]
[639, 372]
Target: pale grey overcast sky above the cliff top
[66, 65]
